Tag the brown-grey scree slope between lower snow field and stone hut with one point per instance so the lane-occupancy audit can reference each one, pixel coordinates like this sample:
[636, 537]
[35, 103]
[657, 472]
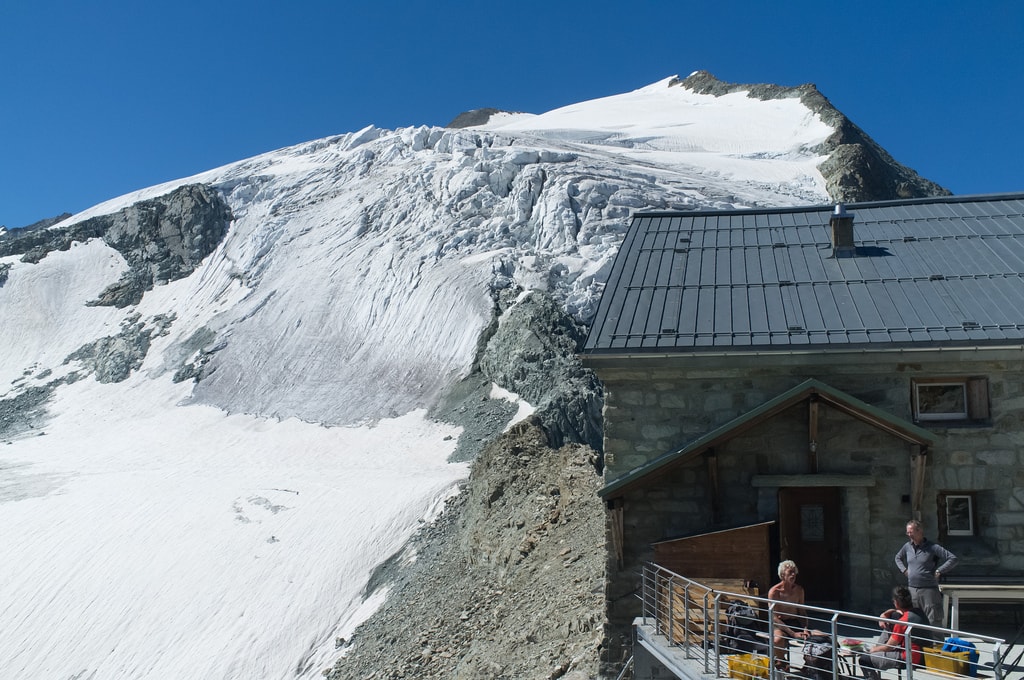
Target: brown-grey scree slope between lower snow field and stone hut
[508, 583]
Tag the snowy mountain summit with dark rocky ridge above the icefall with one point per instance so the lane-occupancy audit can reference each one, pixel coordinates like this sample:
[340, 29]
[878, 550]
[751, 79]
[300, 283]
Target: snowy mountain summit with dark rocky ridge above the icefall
[700, 118]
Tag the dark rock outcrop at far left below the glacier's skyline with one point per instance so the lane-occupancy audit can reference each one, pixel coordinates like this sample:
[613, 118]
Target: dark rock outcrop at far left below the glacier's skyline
[163, 240]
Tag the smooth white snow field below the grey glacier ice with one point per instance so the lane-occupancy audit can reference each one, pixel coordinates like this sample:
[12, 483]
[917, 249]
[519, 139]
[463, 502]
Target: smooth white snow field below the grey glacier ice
[191, 544]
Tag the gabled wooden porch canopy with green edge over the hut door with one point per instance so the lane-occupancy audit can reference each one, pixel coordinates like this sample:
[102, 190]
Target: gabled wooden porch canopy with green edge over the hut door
[812, 391]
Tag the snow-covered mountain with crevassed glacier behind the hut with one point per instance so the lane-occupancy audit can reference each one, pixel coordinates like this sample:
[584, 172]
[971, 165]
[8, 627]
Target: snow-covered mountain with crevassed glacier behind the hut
[218, 395]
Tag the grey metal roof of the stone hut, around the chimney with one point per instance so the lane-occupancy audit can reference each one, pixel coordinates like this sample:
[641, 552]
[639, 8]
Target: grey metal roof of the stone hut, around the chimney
[945, 272]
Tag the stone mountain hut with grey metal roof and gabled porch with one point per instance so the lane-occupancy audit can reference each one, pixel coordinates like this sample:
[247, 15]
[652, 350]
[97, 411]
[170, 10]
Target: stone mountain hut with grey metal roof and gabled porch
[826, 372]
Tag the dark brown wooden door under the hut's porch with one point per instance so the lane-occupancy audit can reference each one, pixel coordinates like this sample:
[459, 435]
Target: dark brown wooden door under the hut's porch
[810, 535]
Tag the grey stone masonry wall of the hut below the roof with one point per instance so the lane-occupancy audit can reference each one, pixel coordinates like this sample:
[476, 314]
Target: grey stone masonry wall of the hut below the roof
[654, 407]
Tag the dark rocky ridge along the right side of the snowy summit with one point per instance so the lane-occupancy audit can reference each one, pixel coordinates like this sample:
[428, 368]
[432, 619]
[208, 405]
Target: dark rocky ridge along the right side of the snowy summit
[858, 168]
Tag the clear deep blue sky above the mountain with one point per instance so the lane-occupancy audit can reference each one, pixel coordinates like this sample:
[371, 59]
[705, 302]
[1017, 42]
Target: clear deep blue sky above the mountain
[105, 98]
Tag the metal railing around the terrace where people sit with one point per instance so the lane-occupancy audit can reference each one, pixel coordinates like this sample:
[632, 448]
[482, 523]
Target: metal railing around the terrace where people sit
[692, 617]
